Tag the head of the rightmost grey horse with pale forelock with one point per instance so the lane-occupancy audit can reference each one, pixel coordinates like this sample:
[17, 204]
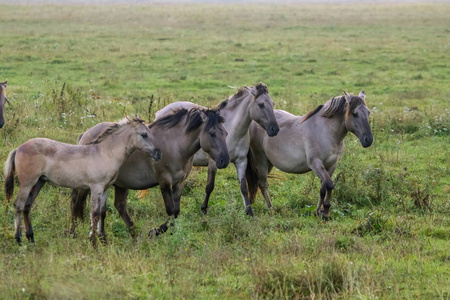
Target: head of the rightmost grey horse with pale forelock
[357, 118]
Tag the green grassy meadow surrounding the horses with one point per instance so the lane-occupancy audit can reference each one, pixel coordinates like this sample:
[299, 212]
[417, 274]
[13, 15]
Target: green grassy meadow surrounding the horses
[70, 67]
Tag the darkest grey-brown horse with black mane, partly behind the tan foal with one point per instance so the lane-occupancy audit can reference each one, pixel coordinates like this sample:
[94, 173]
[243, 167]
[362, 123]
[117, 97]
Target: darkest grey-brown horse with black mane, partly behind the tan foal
[179, 136]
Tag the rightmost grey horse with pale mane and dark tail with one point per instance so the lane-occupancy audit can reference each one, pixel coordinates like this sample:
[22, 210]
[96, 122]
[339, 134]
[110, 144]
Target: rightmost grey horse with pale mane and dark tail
[313, 142]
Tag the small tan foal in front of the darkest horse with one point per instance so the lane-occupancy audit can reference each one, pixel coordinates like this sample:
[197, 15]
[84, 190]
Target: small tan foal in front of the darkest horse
[93, 166]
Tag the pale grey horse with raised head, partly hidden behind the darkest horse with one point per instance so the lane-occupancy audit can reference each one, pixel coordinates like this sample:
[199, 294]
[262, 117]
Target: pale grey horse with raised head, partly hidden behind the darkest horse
[247, 105]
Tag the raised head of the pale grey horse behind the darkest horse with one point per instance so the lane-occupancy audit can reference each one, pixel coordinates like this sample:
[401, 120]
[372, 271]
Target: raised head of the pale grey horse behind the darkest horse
[261, 109]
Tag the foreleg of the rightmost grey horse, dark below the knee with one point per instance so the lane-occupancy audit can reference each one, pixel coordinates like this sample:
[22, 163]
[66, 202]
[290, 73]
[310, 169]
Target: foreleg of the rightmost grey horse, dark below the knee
[324, 204]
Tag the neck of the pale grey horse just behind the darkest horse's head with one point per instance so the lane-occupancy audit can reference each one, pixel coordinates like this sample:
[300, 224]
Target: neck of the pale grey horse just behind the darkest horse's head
[237, 116]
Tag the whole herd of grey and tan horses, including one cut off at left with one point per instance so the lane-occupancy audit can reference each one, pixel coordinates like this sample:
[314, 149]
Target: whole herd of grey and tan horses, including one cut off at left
[244, 129]
